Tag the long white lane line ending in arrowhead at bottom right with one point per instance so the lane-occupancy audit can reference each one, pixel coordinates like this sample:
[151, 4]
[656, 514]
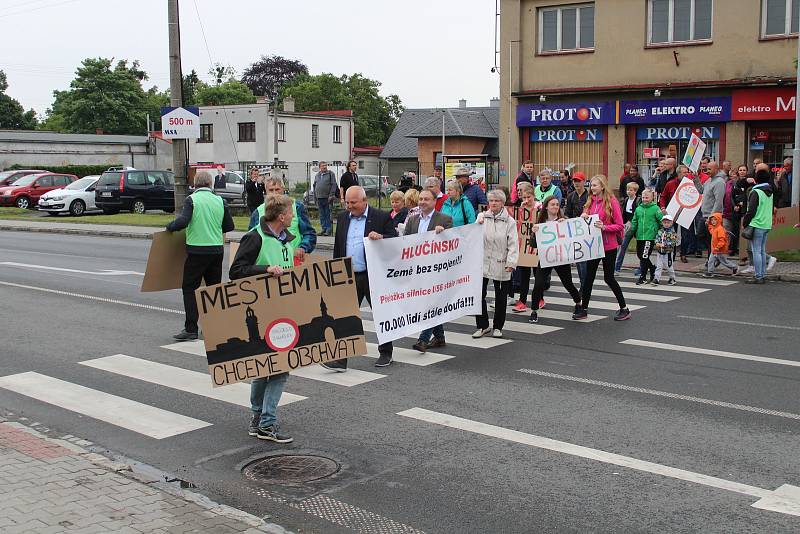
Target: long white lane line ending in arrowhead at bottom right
[785, 499]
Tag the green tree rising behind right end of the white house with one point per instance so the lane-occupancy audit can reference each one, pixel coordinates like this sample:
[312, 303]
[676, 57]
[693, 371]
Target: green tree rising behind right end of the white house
[374, 116]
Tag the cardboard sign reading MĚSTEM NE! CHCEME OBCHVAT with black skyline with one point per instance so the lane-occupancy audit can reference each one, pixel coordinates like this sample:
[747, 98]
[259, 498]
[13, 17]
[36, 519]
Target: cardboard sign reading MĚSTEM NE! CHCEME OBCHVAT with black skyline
[263, 325]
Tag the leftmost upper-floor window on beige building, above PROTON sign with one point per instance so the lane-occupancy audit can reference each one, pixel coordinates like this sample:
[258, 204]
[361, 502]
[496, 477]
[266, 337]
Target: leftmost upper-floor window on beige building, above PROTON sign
[565, 28]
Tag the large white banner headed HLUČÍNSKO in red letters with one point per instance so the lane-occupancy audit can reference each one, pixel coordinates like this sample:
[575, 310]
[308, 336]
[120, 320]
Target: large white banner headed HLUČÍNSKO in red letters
[423, 280]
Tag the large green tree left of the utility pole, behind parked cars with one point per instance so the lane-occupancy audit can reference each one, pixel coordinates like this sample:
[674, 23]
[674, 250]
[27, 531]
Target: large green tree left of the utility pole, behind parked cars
[102, 97]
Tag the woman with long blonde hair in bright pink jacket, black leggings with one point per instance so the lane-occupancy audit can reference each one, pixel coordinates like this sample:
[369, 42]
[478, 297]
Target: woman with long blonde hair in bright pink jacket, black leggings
[605, 205]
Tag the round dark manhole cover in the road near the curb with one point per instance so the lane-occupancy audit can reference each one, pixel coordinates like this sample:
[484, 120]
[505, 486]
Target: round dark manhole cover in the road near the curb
[290, 469]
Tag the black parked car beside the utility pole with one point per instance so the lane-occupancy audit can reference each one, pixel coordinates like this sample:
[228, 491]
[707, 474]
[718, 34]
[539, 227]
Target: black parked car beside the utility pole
[135, 190]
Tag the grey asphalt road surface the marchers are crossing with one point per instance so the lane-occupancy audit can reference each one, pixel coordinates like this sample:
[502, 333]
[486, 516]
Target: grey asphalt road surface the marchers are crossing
[489, 450]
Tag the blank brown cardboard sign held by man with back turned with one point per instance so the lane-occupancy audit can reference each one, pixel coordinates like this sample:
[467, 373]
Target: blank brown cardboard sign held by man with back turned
[165, 262]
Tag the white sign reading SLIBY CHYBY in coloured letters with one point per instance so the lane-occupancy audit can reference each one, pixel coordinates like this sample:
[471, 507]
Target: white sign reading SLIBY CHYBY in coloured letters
[568, 241]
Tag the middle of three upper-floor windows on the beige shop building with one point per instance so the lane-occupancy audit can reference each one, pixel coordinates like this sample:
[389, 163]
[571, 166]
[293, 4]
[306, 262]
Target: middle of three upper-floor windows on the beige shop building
[678, 21]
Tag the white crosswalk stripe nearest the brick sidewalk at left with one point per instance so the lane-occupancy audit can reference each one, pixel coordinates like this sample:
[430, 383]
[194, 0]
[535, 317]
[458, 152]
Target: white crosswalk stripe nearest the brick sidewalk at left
[125, 413]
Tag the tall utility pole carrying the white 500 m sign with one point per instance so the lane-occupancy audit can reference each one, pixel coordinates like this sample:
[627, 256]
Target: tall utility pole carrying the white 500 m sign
[179, 146]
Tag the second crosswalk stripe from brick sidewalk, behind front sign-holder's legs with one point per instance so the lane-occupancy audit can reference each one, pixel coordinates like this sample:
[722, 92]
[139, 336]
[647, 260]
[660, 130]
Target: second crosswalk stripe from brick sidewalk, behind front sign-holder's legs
[181, 379]
